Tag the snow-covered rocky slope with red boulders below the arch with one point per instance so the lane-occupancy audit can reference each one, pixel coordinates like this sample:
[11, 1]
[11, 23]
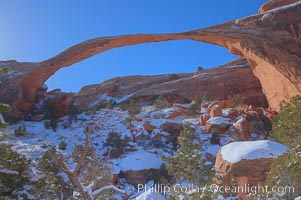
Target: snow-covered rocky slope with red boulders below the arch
[147, 135]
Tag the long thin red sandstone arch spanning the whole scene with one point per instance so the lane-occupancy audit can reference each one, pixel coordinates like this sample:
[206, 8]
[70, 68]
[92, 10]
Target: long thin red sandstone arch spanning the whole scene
[270, 41]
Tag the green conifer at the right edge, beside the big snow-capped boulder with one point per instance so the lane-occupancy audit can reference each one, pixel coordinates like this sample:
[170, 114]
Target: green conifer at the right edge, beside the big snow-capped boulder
[286, 170]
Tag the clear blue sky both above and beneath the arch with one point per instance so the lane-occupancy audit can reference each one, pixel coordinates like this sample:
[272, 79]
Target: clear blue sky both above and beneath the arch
[34, 30]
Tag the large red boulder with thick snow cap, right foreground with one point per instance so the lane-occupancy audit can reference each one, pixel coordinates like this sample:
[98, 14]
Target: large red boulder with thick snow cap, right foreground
[246, 162]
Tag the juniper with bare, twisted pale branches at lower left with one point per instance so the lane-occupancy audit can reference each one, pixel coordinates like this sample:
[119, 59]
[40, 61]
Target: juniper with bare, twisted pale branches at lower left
[91, 176]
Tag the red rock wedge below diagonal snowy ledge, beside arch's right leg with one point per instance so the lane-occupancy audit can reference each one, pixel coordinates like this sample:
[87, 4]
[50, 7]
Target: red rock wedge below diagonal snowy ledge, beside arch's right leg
[233, 79]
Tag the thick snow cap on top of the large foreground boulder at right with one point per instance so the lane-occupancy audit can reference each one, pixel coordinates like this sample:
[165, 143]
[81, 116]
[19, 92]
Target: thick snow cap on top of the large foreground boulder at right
[250, 150]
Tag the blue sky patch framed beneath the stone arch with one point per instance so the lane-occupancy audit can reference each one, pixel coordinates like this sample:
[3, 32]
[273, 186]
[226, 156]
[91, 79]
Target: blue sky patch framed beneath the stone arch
[169, 57]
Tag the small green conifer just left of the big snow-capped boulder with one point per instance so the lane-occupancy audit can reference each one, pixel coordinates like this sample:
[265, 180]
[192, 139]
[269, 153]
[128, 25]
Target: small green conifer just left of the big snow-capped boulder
[188, 163]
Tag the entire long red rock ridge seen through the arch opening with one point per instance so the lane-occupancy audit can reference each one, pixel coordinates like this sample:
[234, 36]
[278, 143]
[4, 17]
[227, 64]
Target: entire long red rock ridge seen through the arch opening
[233, 80]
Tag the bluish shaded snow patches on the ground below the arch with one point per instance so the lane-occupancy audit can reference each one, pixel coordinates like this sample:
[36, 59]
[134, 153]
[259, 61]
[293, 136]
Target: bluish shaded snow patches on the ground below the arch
[143, 154]
